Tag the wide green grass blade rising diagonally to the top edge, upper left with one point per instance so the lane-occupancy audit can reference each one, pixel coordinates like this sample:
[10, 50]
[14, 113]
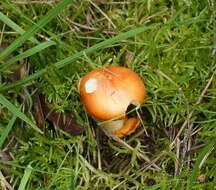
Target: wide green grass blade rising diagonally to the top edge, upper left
[31, 31]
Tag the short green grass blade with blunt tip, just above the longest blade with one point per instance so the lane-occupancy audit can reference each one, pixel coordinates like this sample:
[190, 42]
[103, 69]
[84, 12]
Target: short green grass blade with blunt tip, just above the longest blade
[29, 52]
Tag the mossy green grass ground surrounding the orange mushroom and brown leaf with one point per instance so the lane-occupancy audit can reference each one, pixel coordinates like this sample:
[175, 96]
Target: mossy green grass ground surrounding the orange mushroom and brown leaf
[169, 44]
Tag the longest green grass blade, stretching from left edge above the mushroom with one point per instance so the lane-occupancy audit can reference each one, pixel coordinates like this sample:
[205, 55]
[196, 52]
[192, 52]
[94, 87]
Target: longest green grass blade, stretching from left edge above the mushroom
[92, 49]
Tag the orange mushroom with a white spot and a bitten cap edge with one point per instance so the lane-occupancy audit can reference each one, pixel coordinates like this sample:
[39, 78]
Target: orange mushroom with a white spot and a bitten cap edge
[106, 94]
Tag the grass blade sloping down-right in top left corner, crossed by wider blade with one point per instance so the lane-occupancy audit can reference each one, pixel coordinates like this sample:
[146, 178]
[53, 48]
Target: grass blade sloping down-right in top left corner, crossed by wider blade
[15, 27]
